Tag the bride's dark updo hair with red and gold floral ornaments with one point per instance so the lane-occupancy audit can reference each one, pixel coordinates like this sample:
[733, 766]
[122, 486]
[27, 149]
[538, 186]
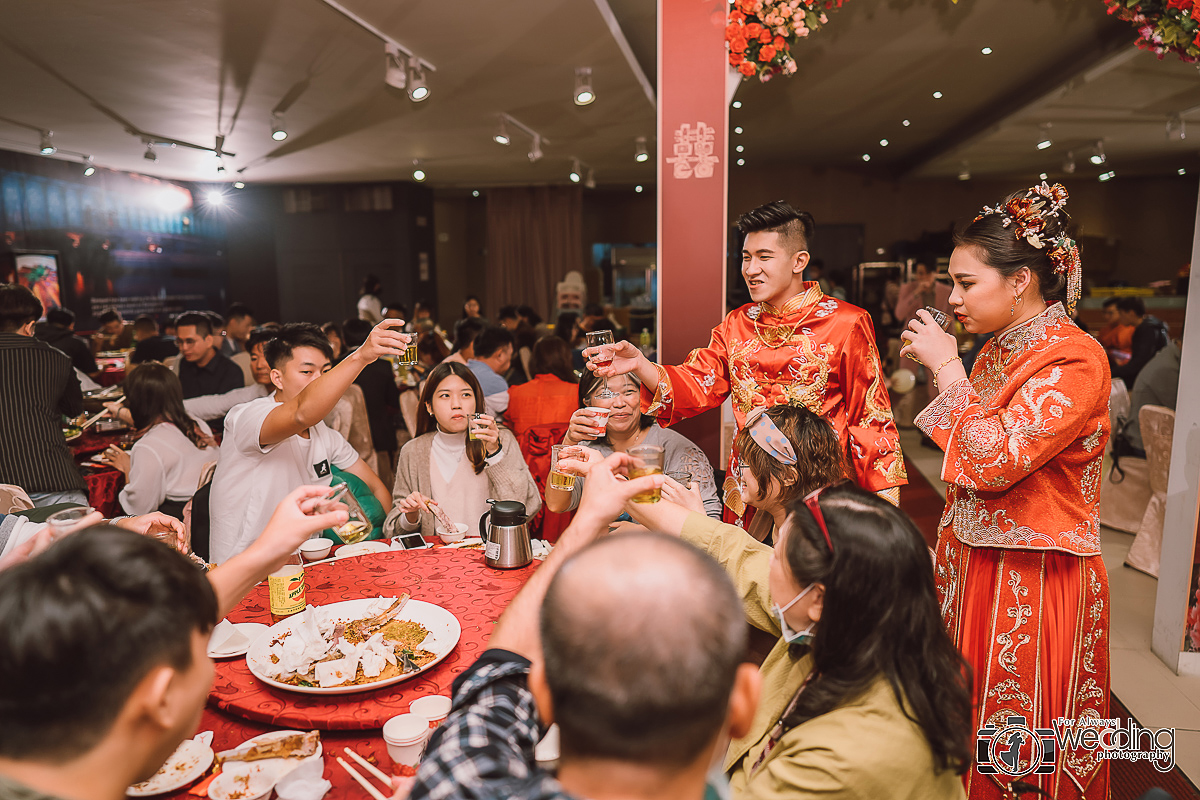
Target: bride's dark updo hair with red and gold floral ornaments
[1006, 238]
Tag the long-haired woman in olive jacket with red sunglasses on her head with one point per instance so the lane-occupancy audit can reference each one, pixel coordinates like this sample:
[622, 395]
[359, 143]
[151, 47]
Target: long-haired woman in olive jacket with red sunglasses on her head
[865, 696]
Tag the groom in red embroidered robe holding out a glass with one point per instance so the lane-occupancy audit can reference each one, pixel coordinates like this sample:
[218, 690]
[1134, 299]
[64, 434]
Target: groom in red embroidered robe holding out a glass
[793, 346]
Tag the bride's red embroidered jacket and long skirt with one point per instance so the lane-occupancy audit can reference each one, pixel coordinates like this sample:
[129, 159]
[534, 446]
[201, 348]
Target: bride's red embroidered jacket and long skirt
[1023, 588]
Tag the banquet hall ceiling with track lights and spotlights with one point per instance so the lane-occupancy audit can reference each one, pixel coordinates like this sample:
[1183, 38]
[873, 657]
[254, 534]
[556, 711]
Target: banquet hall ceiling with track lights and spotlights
[88, 70]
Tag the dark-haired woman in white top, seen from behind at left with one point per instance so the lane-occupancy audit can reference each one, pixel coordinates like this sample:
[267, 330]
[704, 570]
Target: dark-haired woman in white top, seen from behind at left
[164, 468]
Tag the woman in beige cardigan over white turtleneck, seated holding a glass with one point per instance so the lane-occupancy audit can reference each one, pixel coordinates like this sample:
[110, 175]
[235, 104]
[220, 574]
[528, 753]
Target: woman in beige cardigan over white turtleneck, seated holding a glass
[445, 466]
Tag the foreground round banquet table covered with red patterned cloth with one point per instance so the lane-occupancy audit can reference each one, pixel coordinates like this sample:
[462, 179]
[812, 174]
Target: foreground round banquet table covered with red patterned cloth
[242, 707]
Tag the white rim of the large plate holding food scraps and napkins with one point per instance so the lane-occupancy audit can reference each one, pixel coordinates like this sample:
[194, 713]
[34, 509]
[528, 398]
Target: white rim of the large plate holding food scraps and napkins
[442, 625]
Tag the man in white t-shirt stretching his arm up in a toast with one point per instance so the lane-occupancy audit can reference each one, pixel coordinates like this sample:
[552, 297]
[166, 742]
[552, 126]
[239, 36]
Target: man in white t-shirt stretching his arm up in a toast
[274, 444]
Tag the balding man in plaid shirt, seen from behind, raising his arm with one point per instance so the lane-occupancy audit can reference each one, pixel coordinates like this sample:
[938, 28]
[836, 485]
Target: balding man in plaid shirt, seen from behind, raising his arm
[633, 645]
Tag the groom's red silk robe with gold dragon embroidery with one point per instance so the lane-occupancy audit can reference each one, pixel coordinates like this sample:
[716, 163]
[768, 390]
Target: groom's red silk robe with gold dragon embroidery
[817, 352]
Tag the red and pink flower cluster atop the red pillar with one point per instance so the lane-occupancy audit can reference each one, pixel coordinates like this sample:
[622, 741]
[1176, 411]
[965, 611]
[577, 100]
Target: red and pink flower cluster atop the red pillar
[760, 33]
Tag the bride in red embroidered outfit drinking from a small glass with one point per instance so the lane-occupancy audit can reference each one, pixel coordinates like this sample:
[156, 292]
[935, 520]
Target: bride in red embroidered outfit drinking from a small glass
[1023, 588]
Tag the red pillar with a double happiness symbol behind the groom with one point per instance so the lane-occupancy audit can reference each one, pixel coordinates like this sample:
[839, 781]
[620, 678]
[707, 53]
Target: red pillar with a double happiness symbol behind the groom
[693, 188]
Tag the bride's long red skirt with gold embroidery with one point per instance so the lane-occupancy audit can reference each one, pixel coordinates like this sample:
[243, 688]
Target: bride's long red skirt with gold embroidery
[1035, 628]
